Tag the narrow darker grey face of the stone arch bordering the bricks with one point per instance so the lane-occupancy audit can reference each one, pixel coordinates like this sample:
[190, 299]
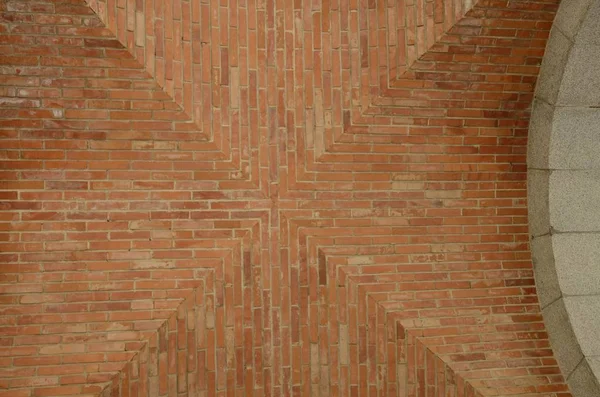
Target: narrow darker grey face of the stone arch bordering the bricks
[572, 361]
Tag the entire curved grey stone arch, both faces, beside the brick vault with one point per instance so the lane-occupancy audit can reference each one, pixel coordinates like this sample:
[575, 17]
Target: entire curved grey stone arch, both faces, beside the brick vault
[564, 192]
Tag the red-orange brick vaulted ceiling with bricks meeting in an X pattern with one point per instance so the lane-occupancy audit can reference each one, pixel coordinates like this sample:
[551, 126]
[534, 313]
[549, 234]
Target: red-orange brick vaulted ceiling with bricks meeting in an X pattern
[269, 198]
